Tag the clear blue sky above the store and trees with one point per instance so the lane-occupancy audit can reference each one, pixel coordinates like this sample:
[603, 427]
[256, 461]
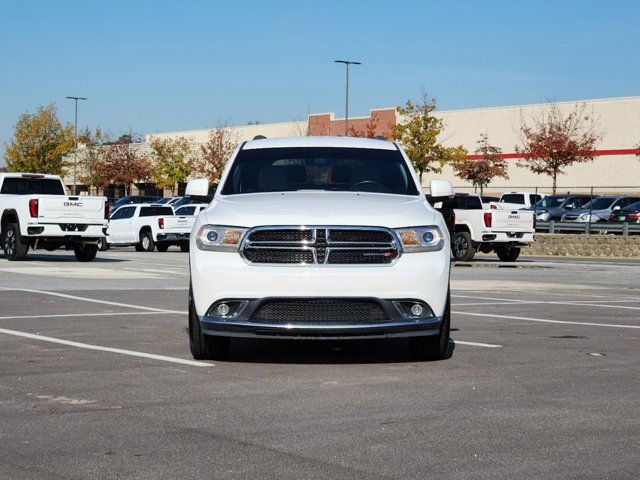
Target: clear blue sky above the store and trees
[158, 66]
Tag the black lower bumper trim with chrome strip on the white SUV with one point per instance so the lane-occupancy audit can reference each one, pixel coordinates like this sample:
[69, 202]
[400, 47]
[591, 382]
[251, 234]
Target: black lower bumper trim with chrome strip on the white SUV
[396, 326]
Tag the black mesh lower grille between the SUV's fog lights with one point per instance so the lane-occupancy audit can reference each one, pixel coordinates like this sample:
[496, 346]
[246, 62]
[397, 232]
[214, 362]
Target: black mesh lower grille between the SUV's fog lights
[319, 311]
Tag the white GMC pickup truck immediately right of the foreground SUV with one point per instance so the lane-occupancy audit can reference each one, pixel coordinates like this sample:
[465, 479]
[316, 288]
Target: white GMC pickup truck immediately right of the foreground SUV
[478, 228]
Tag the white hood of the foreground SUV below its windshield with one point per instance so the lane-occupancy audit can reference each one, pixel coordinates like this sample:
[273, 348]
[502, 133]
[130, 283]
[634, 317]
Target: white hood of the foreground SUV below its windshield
[320, 208]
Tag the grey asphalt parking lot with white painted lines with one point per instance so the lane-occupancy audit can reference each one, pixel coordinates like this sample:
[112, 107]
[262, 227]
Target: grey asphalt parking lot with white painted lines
[96, 381]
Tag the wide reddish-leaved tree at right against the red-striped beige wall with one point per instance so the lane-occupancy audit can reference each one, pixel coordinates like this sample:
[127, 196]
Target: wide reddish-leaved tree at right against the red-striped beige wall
[554, 140]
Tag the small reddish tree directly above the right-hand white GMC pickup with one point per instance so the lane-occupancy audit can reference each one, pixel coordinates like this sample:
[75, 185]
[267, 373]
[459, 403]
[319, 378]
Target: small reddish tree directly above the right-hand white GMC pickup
[484, 167]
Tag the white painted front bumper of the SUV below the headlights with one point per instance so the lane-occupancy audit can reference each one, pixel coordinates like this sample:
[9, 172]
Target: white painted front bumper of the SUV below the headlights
[224, 275]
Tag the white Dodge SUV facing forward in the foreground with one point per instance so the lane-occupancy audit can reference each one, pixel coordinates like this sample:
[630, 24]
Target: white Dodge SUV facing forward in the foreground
[319, 238]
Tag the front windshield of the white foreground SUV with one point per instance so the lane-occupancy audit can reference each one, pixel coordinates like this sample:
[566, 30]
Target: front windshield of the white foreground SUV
[319, 168]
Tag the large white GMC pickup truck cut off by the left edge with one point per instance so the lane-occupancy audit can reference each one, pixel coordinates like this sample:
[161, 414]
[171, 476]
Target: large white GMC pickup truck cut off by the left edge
[35, 212]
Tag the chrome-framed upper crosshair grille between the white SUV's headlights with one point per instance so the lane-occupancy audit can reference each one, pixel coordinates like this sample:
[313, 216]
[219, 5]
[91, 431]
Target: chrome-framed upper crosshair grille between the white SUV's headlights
[304, 245]
